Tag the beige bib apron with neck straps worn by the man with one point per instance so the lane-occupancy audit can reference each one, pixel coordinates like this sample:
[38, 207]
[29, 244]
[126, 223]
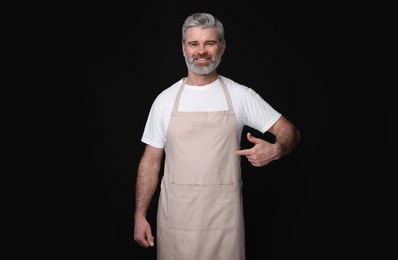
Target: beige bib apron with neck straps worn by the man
[200, 209]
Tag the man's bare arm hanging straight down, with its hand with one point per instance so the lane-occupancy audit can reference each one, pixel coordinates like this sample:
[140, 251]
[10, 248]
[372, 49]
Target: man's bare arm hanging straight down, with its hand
[146, 185]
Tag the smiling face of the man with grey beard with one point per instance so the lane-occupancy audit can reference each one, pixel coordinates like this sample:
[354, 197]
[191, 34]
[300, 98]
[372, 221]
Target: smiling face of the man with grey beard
[202, 50]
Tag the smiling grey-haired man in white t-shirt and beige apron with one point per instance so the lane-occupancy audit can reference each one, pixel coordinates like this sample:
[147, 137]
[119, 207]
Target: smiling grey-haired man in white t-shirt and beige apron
[196, 124]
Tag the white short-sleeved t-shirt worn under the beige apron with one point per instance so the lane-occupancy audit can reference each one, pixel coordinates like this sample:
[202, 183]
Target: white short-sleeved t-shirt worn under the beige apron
[250, 108]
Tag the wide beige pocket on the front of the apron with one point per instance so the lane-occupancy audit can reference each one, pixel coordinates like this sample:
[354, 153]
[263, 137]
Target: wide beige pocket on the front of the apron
[205, 207]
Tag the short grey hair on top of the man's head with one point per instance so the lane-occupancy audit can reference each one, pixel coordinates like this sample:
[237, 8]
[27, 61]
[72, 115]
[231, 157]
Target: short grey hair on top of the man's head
[203, 20]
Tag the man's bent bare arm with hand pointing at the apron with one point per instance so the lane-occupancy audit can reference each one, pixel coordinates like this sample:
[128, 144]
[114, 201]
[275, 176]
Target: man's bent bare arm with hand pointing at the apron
[262, 153]
